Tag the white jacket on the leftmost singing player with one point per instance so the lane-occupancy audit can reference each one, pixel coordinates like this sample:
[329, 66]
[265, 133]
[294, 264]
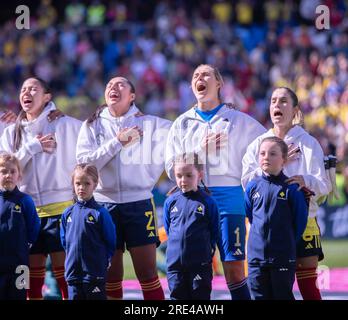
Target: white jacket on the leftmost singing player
[46, 176]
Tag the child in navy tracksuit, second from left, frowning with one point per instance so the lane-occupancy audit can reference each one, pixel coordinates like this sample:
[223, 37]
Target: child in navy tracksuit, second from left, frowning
[88, 236]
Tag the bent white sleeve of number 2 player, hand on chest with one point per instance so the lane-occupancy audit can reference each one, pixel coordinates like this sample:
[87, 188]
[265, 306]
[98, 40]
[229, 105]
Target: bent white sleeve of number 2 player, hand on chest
[88, 151]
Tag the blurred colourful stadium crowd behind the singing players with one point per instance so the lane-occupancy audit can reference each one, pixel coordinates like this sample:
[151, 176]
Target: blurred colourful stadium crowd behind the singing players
[257, 45]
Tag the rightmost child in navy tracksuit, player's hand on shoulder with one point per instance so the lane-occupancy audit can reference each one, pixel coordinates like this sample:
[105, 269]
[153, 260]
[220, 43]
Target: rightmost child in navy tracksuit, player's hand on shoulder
[278, 214]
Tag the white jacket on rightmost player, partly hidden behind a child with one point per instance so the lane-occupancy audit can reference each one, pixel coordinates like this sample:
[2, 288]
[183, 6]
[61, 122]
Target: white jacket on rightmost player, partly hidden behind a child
[309, 164]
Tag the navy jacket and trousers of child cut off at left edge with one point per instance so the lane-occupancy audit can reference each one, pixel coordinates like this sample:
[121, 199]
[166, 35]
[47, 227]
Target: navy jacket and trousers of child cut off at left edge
[19, 227]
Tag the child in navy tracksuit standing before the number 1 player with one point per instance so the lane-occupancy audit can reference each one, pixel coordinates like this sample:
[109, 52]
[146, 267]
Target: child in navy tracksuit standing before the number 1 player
[191, 220]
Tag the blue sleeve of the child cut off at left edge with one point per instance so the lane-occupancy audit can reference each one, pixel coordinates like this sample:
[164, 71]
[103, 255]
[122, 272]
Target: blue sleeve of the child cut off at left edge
[32, 220]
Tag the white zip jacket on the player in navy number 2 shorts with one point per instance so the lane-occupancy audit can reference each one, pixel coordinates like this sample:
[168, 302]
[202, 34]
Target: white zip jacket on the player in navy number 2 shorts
[126, 174]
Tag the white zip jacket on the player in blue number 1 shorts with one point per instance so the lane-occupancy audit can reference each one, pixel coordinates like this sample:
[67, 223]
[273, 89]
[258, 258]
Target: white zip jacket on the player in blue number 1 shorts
[222, 168]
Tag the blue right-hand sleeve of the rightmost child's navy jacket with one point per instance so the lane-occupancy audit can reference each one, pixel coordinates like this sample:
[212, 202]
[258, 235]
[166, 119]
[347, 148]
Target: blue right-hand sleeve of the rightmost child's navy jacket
[300, 211]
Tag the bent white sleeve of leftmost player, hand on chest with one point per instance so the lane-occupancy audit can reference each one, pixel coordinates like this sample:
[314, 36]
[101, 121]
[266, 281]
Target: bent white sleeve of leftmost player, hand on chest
[25, 152]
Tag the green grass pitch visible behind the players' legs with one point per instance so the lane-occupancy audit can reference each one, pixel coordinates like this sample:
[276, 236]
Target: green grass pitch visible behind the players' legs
[336, 256]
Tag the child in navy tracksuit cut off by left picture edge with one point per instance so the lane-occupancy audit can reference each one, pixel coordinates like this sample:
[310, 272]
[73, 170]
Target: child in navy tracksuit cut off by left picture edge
[19, 228]
